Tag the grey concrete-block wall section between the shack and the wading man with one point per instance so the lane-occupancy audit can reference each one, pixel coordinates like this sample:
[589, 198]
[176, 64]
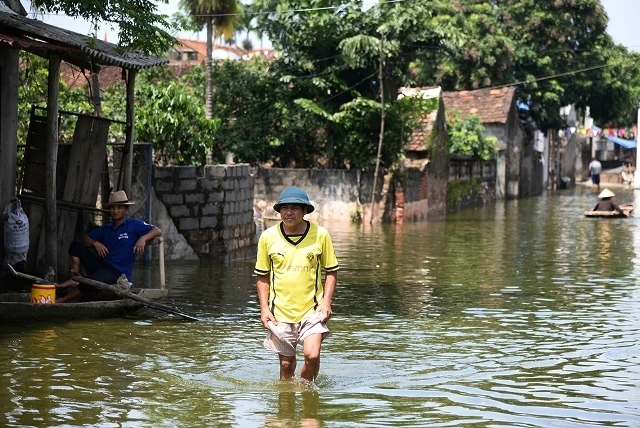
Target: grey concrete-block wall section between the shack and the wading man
[212, 207]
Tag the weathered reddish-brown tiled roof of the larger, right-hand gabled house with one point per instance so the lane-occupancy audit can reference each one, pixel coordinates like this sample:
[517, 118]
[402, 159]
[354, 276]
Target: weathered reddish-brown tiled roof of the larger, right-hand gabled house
[492, 105]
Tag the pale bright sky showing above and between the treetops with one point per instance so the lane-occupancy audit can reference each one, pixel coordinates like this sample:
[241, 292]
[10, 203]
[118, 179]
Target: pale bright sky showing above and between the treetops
[624, 18]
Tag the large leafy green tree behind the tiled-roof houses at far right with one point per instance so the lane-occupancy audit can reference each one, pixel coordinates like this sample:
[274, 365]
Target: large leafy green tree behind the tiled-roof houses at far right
[521, 41]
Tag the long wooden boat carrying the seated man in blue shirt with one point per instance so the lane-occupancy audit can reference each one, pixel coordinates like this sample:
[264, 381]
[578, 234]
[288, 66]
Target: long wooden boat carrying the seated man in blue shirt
[18, 306]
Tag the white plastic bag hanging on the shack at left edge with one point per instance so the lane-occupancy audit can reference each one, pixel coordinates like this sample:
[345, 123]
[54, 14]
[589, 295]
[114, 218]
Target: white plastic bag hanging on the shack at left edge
[16, 233]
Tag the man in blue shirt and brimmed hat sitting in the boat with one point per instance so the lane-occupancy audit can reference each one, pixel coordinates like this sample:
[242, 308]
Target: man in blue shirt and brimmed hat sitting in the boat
[108, 251]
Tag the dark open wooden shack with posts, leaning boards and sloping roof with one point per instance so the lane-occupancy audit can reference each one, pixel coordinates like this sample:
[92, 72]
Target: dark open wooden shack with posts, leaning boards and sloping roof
[55, 182]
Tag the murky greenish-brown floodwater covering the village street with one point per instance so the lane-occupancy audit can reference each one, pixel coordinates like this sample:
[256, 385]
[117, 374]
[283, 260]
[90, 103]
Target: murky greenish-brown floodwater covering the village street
[523, 314]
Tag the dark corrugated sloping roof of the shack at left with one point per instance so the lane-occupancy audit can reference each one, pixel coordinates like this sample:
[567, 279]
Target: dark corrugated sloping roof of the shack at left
[73, 47]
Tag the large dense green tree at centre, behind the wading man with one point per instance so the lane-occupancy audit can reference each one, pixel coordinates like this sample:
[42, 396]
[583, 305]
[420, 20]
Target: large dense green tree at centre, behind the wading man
[331, 57]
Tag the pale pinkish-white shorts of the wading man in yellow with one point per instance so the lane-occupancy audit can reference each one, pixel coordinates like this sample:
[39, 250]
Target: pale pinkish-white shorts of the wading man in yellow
[283, 337]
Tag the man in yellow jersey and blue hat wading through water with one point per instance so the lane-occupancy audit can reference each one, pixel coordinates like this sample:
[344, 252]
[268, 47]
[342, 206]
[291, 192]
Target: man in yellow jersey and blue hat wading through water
[294, 303]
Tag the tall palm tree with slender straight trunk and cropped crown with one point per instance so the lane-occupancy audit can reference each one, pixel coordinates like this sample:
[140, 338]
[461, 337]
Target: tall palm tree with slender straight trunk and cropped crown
[221, 18]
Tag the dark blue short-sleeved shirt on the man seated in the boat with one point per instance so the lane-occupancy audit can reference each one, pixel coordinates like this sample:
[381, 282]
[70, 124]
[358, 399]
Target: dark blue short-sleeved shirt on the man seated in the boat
[120, 242]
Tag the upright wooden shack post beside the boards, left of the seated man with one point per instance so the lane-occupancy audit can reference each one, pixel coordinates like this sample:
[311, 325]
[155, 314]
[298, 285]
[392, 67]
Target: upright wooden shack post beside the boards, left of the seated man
[51, 218]
